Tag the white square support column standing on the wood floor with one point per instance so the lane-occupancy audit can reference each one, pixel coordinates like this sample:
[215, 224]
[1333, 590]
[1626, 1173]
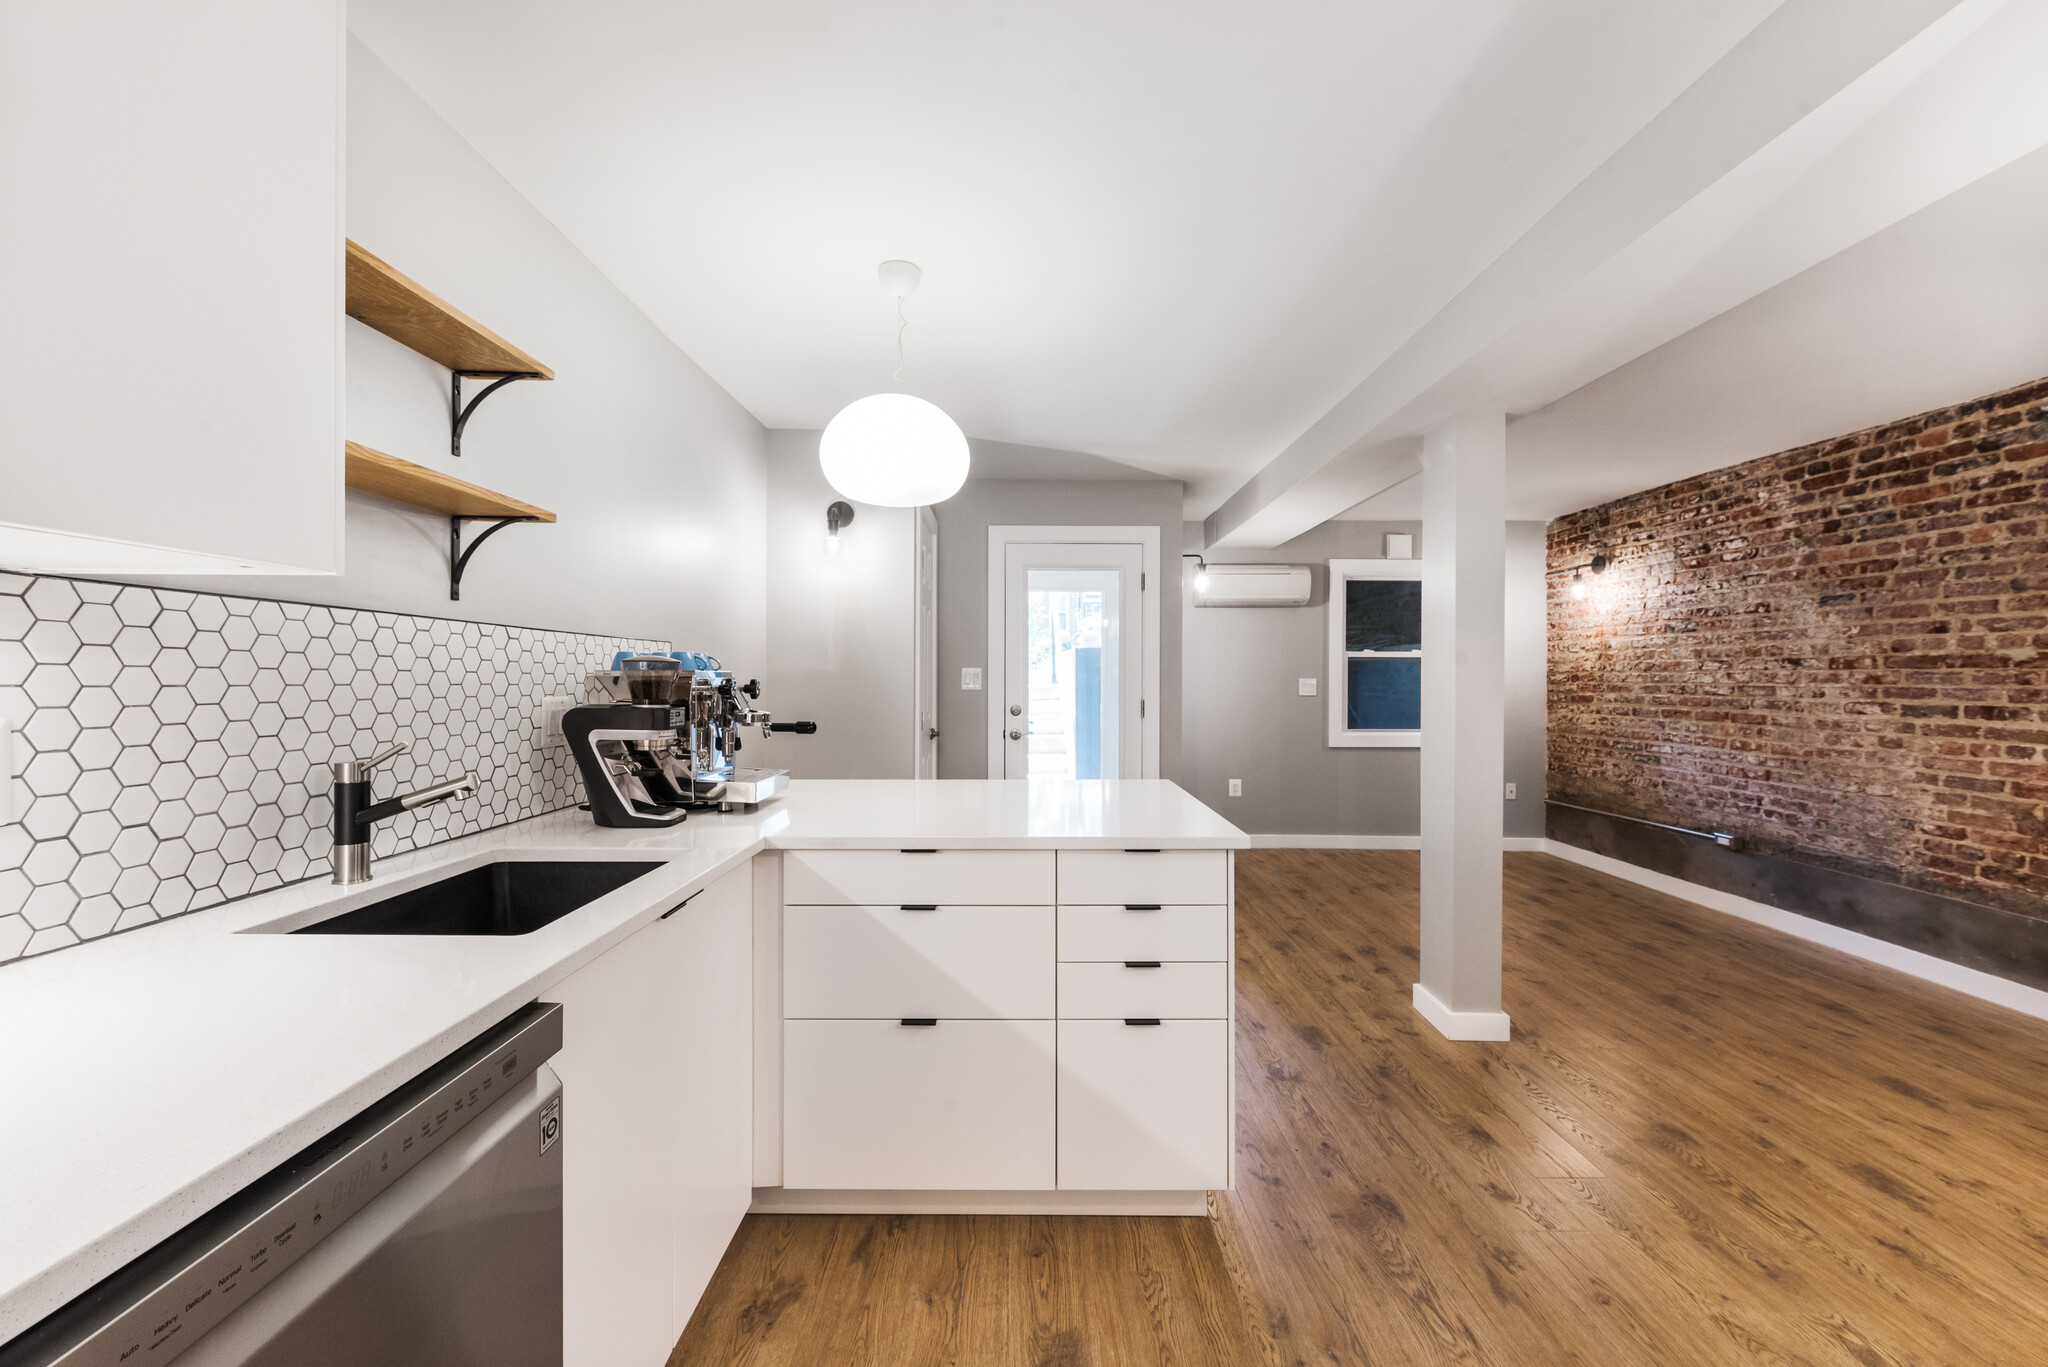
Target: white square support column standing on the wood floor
[1463, 628]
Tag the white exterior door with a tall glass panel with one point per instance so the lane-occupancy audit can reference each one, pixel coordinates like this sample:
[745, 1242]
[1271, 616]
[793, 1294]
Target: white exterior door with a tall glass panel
[1074, 661]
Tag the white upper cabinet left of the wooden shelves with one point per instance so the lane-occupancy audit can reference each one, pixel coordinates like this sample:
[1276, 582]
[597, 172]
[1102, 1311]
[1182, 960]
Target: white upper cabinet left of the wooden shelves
[171, 286]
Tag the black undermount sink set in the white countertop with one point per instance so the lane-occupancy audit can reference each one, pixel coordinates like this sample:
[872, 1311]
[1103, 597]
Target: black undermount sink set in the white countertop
[511, 897]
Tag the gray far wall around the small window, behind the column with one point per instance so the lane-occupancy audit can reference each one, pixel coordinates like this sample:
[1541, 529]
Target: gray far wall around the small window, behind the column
[1244, 718]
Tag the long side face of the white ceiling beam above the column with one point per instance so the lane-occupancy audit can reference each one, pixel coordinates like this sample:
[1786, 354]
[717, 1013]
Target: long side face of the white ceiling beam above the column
[1785, 71]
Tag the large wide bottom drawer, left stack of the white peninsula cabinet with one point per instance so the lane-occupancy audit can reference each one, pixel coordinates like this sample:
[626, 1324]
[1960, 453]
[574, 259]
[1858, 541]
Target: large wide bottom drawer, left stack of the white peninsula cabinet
[876, 1106]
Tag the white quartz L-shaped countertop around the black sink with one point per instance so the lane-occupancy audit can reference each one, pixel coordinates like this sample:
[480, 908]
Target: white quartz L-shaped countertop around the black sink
[151, 1075]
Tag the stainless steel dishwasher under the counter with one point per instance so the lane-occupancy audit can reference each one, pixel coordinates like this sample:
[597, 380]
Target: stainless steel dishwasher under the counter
[425, 1231]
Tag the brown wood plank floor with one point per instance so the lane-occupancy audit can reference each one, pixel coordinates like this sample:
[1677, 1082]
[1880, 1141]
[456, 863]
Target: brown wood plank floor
[1705, 1145]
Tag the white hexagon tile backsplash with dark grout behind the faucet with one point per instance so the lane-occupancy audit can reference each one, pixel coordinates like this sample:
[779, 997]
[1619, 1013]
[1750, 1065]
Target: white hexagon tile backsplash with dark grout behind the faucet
[173, 749]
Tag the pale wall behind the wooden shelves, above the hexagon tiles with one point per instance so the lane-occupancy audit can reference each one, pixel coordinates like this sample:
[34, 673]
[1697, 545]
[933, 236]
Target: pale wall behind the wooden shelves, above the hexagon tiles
[656, 474]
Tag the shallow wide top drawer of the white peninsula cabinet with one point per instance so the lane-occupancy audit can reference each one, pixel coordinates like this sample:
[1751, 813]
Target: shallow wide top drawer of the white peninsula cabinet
[876, 878]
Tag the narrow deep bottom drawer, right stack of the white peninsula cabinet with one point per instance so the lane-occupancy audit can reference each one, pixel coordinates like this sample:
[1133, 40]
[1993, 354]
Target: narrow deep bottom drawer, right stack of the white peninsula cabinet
[1144, 1108]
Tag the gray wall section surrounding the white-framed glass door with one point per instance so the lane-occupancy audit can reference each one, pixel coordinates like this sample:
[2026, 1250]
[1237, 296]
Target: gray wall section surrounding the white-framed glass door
[964, 595]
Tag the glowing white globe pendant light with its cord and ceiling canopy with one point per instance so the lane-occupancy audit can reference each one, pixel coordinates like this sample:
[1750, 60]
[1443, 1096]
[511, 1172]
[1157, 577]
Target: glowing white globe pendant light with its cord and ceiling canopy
[894, 450]
